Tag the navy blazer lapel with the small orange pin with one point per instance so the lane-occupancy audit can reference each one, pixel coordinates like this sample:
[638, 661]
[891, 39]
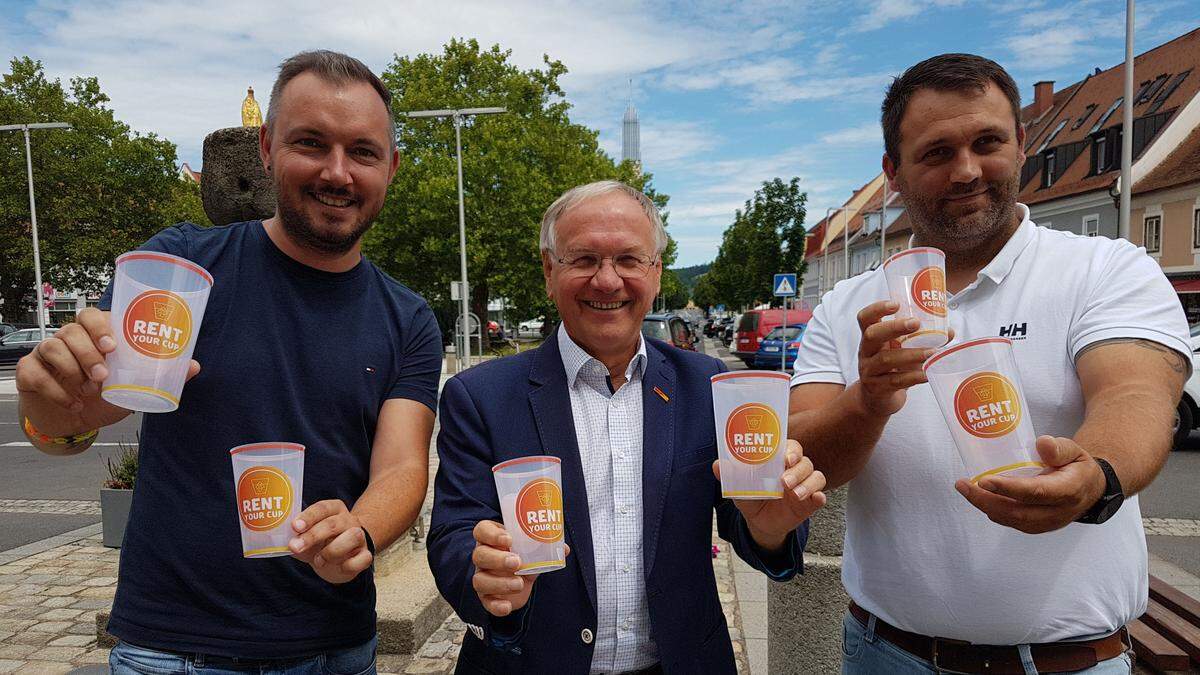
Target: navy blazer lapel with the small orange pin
[658, 447]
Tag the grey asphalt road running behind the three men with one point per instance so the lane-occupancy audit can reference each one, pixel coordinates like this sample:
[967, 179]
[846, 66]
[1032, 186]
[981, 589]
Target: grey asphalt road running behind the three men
[76, 481]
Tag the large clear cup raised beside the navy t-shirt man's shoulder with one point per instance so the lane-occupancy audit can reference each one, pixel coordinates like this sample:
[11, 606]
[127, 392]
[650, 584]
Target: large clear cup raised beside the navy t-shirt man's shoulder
[158, 303]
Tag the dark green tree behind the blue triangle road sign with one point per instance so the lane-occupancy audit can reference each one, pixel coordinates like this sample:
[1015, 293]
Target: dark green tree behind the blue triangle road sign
[767, 237]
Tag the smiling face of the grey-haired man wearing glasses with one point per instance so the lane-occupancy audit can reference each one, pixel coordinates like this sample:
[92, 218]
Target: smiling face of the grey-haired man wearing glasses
[603, 313]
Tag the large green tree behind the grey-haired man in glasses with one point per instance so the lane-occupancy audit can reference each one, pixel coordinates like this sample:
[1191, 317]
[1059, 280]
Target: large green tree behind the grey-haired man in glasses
[514, 166]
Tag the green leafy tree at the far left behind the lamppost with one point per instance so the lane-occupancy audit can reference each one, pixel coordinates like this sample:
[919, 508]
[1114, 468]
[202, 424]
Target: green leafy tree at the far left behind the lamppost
[101, 189]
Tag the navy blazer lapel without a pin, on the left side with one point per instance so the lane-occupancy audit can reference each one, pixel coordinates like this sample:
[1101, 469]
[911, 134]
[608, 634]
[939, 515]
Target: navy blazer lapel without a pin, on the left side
[551, 403]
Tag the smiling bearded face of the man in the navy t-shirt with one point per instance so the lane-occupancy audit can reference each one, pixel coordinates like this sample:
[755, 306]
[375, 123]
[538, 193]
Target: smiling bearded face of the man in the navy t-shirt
[331, 157]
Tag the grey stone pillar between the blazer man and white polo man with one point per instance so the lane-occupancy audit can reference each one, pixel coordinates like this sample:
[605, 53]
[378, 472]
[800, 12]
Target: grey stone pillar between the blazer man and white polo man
[805, 616]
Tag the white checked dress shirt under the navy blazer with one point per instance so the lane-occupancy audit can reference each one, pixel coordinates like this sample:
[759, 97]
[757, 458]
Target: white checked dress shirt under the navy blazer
[609, 431]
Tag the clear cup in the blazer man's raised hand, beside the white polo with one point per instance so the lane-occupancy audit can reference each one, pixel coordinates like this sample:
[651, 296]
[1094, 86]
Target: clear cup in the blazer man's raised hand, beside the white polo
[751, 409]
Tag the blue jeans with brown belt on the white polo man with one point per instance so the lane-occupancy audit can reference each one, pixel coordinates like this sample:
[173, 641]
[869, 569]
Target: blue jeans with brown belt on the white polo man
[863, 653]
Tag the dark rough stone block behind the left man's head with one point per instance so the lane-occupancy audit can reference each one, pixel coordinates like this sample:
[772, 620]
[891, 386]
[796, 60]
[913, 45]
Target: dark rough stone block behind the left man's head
[235, 188]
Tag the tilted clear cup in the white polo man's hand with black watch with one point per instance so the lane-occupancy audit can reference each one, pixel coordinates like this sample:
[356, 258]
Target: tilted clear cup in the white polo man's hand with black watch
[980, 392]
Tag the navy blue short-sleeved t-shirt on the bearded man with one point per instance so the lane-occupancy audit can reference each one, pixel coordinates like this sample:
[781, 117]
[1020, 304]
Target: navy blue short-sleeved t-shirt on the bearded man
[287, 354]
